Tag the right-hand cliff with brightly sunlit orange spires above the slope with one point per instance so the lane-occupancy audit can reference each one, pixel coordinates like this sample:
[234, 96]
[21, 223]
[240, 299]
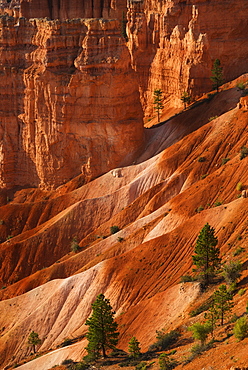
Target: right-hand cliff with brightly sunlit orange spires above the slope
[174, 44]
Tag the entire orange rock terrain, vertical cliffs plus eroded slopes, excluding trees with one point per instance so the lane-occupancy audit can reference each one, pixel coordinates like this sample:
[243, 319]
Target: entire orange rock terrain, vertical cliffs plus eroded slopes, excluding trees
[76, 160]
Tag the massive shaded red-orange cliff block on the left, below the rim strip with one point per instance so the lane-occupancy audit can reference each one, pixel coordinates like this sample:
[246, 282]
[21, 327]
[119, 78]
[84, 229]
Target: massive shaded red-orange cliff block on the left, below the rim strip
[64, 107]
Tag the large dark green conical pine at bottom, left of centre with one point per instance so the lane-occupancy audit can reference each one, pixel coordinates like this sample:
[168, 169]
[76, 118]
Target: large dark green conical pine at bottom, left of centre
[102, 333]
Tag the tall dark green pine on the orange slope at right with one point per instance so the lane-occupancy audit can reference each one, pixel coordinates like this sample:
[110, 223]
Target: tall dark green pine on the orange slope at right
[206, 257]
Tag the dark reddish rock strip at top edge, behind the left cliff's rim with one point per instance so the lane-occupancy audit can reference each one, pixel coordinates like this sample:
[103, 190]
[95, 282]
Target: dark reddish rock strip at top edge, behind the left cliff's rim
[66, 9]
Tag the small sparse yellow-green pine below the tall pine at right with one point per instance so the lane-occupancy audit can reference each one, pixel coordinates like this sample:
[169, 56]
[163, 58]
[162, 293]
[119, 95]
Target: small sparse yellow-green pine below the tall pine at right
[222, 303]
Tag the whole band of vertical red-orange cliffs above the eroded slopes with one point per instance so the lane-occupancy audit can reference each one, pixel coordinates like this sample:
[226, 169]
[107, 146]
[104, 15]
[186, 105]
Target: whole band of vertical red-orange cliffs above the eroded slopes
[65, 77]
